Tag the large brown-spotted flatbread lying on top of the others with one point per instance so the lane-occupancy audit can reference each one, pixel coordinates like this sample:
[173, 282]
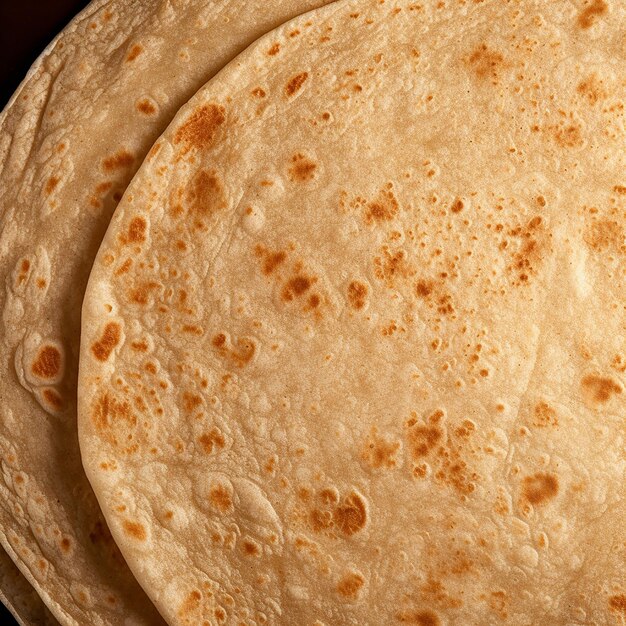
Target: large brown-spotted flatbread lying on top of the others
[353, 346]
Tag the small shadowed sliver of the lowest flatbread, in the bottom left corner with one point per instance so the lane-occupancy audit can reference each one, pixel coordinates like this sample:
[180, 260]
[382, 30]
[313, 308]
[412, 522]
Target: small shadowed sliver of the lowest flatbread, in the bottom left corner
[19, 597]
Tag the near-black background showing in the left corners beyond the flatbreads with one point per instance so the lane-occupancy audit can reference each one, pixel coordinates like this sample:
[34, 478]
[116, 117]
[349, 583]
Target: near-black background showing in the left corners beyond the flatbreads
[26, 28]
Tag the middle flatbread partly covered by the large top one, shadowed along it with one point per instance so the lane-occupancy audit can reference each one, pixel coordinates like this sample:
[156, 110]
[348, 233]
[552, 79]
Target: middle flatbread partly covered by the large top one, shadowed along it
[70, 141]
